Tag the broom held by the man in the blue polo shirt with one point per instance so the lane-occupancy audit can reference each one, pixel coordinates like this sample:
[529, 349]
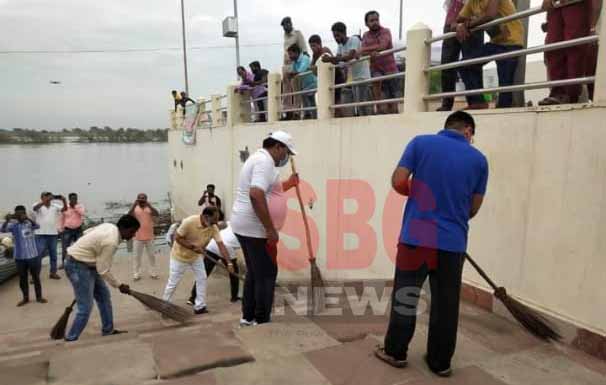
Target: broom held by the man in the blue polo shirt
[530, 320]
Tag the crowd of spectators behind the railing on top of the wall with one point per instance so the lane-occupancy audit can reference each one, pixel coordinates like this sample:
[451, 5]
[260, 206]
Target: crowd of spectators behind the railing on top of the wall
[361, 58]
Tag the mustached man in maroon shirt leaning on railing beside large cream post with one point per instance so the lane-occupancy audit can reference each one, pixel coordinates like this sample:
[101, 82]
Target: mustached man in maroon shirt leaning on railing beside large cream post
[375, 40]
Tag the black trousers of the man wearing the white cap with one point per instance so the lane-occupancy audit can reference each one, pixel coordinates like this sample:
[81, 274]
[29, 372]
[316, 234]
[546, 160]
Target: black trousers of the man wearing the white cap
[260, 282]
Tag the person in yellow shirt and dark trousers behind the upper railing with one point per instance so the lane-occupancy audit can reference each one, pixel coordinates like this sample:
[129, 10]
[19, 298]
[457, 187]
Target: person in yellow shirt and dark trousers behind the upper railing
[505, 37]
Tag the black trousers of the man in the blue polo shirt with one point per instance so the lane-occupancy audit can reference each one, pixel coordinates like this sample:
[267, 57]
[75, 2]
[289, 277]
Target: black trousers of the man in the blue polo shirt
[445, 285]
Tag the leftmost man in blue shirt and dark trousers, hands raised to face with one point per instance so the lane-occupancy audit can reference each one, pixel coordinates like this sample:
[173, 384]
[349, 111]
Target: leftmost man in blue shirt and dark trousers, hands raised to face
[26, 254]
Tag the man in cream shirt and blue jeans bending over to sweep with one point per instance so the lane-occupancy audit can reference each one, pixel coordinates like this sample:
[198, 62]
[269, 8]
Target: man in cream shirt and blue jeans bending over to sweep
[88, 266]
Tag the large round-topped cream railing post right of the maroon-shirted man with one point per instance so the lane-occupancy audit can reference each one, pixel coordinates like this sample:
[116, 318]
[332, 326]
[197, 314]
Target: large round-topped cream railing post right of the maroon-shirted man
[418, 56]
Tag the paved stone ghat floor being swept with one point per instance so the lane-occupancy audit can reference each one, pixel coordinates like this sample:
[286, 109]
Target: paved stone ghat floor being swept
[329, 349]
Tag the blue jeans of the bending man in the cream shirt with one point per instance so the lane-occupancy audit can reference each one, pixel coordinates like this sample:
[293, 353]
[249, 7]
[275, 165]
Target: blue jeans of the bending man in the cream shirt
[88, 285]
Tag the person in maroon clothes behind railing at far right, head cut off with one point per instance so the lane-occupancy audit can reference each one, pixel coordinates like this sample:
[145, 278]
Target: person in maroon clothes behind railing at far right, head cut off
[567, 20]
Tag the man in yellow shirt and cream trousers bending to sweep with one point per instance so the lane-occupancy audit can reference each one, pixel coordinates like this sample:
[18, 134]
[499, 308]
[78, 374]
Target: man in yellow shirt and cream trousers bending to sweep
[192, 237]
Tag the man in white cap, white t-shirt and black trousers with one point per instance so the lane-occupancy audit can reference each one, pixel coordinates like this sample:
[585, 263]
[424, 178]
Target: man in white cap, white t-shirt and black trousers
[253, 226]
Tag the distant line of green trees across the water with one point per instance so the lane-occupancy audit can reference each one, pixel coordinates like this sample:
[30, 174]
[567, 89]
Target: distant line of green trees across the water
[77, 135]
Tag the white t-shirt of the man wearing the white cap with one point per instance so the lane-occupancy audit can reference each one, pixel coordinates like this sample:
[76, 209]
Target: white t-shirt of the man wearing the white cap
[259, 171]
